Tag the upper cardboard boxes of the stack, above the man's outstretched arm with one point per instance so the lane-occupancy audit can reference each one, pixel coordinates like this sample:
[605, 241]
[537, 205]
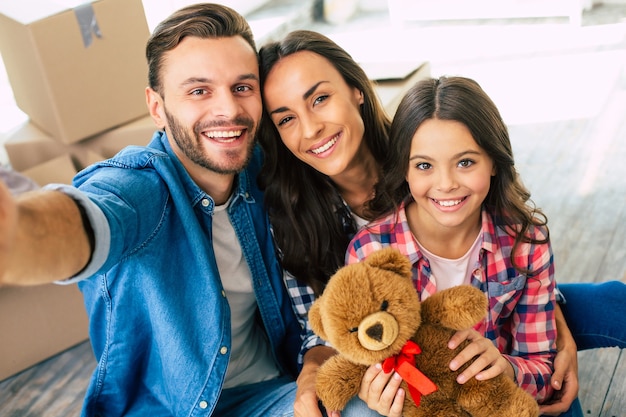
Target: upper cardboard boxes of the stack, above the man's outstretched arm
[79, 73]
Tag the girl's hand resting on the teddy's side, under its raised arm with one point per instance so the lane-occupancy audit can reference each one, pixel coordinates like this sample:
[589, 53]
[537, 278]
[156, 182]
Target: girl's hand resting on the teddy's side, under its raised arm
[488, 364]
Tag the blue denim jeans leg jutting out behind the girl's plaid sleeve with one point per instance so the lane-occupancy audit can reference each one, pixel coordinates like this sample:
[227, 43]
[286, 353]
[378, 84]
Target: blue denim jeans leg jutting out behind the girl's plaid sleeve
[595, 313]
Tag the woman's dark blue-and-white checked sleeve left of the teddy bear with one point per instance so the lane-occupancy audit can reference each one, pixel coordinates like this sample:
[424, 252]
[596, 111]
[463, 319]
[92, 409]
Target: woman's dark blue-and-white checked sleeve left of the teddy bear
[302, 297]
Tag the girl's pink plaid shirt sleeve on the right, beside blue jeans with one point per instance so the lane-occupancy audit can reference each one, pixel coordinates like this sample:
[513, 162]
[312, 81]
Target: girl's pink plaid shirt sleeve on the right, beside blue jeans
[533, 326]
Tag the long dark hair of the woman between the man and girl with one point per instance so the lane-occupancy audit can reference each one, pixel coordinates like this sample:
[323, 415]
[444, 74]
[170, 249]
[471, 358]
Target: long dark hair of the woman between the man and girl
[307, 213]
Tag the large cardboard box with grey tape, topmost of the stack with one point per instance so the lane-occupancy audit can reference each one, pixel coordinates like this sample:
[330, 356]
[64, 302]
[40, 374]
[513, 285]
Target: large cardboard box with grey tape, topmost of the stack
[75, 83]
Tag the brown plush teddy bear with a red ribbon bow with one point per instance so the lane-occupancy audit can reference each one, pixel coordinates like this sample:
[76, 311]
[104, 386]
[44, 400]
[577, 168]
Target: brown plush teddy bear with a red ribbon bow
[370, 313]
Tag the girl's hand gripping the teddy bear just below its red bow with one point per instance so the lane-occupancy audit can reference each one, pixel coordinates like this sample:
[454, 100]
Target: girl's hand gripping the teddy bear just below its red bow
[381, 391]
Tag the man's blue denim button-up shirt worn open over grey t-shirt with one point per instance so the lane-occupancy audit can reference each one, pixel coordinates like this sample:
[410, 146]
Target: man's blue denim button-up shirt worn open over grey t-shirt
[159, 317]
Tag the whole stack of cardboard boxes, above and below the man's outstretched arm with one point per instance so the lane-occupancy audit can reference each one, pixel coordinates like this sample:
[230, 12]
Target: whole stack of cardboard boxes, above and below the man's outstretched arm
[78, 70]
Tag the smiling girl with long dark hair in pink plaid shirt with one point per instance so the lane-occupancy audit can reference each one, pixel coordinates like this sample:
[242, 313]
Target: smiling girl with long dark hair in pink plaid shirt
[455, 206]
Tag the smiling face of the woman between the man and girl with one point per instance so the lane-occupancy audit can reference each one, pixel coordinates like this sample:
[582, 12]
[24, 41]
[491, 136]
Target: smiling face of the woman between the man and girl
[316, 113]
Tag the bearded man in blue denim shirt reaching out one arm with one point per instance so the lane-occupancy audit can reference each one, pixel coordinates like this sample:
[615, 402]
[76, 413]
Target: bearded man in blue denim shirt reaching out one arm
[170, 244]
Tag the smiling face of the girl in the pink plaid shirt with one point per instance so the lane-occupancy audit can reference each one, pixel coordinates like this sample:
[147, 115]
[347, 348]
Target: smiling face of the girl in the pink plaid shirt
[449, 175]
